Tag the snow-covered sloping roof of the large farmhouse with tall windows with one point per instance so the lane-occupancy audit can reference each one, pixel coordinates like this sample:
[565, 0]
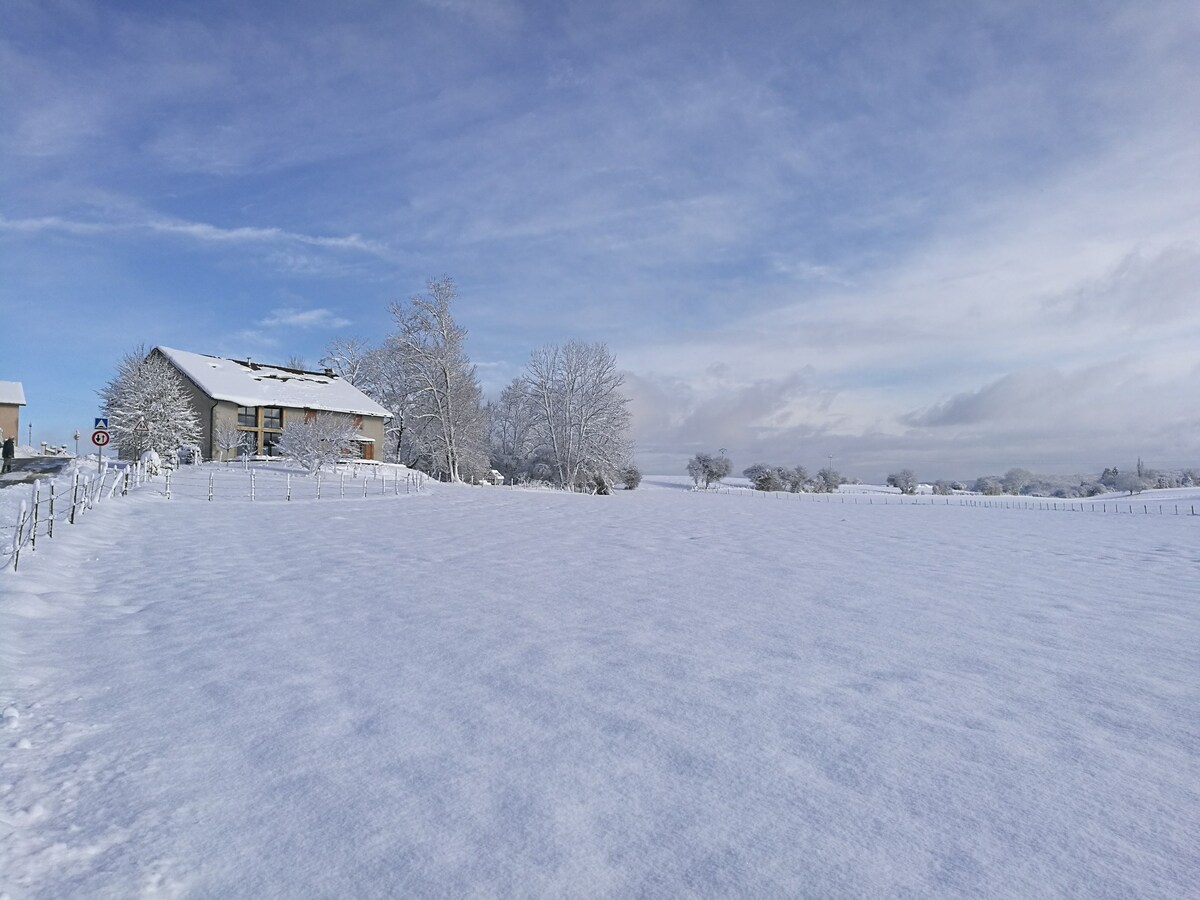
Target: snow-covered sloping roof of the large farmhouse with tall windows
[255, 385]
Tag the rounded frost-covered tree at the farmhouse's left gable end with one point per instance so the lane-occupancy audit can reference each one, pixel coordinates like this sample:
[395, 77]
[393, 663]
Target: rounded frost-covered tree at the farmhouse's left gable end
[148, 407]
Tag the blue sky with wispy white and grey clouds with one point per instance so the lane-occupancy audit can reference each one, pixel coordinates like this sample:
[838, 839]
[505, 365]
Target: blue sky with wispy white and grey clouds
[950, 237]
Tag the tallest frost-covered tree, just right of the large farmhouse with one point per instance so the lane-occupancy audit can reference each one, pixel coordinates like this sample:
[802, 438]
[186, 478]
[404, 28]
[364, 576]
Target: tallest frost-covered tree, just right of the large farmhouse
[441, 399]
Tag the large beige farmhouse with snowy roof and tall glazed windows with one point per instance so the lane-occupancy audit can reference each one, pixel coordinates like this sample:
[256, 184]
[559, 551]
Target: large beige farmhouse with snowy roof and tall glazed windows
[260, 400]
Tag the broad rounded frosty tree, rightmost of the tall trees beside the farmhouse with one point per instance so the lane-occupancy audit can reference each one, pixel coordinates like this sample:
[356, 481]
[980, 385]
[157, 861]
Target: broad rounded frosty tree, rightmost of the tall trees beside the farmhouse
[579, 418]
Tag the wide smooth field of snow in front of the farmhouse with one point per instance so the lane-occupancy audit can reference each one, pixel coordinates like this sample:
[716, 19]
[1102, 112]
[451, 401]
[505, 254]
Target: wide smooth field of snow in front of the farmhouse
[471, 692]
